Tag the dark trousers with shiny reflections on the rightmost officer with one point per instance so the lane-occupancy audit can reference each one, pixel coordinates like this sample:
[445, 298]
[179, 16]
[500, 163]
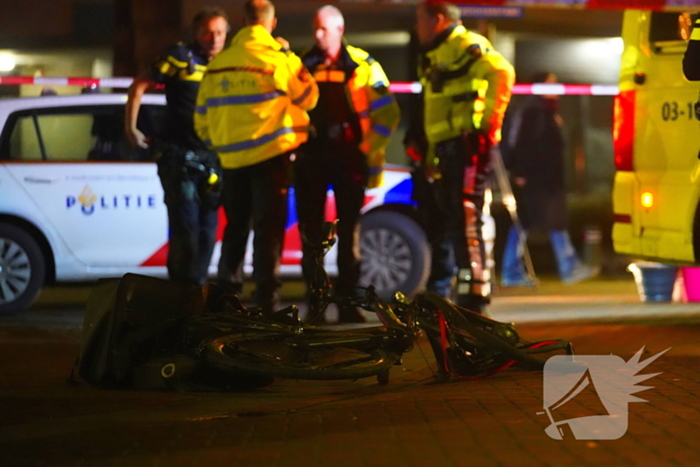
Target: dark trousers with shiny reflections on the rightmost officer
[460, 193]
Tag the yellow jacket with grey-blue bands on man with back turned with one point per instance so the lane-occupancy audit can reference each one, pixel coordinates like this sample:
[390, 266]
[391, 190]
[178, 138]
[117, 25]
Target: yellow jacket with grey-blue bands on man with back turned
[253, 99]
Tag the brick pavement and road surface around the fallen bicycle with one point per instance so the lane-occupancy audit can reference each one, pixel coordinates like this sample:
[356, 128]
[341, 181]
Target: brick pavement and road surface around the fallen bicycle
[414, 420]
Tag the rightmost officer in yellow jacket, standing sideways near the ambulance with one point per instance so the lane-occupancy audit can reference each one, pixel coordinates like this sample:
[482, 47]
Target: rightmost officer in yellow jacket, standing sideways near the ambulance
[467, 87]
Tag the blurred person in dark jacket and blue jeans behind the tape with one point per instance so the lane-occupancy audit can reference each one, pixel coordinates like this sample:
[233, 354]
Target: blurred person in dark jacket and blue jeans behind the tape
[537, 170]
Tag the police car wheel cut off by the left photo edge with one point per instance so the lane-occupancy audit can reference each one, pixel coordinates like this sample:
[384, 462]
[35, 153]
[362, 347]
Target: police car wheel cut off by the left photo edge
[22, 268]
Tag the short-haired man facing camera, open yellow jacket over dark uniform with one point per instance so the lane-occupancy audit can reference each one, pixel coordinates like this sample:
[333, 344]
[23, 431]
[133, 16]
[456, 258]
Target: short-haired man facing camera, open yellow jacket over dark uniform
[352, 123]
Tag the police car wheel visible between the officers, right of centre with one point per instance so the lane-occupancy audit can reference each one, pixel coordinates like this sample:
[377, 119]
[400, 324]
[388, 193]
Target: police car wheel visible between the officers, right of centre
[395, 253]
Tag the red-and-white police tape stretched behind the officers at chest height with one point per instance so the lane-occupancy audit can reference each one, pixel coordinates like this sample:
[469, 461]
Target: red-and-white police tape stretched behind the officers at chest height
[398, 87]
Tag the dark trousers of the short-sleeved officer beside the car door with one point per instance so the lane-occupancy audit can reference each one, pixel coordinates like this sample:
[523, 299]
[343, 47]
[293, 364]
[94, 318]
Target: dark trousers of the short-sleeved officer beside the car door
[192, 213]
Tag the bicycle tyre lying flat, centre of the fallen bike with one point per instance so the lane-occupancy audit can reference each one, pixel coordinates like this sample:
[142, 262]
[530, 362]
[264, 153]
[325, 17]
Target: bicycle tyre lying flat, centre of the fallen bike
[220, 353]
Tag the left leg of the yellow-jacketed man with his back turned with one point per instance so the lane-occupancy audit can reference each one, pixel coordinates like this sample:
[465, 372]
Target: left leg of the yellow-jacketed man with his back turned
[237, 202]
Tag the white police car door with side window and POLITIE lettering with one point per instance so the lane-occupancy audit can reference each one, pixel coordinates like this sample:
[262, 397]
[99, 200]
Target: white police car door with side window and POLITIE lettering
[102, 196]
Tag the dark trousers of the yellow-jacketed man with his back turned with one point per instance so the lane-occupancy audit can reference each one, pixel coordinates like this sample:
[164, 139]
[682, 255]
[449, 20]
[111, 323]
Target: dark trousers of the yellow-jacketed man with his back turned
[255, 196]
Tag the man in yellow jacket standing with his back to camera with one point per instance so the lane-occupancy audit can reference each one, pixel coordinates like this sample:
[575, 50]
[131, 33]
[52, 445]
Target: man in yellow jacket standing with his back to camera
[251, 109]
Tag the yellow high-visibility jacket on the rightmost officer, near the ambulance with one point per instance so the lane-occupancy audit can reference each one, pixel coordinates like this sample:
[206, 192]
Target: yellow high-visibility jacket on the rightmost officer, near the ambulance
[467, 85]
